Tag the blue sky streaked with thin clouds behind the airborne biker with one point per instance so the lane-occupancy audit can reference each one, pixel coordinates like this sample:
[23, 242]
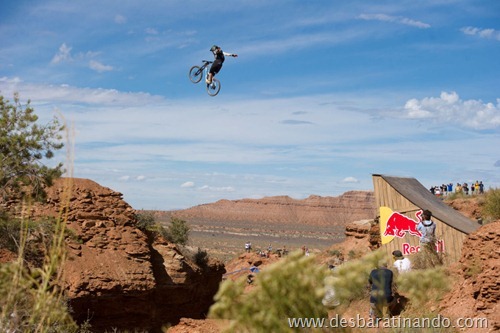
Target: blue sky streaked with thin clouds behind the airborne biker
[323, 94]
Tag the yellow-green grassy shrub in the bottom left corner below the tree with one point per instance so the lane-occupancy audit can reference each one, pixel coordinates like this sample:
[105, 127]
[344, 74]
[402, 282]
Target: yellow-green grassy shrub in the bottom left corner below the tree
[30, 299]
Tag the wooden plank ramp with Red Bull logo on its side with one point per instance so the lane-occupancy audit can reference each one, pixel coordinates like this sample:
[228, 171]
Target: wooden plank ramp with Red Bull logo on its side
[407, 196]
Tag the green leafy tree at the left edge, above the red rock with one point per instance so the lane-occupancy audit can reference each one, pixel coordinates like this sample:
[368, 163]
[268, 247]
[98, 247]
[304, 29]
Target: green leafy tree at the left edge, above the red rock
[24, 146]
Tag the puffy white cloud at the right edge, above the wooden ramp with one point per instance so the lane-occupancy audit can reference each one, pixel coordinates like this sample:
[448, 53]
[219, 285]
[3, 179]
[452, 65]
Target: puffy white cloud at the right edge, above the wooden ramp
[449, 108]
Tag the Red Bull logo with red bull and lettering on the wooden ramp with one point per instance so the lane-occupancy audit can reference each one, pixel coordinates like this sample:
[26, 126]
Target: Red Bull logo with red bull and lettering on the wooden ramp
[394, 224]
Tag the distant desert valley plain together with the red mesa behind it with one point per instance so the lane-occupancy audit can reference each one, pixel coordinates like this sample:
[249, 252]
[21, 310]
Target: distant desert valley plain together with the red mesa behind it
[316, 222]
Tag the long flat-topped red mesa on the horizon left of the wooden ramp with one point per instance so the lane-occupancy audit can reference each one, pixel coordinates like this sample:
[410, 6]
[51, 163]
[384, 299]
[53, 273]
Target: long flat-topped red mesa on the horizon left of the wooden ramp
[314, 210]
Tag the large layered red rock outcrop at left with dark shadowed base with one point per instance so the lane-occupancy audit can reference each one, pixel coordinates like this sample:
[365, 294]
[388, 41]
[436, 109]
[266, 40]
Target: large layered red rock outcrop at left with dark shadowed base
[117, 276]
